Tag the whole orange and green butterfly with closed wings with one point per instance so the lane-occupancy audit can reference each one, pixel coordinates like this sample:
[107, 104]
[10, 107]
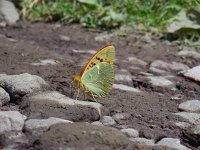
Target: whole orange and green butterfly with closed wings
[97, 76]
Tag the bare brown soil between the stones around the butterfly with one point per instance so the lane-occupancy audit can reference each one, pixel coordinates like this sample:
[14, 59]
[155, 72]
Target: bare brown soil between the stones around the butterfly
[28, 43]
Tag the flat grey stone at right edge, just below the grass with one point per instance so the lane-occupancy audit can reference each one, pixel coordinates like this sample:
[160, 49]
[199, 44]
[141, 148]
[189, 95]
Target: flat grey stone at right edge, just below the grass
[189, 53]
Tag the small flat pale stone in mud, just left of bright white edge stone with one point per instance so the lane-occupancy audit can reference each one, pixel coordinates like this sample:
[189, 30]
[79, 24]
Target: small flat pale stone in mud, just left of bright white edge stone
[160, 81]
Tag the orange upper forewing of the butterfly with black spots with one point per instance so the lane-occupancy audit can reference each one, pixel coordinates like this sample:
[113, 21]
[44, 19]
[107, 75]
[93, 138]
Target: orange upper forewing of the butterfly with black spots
[106, 54]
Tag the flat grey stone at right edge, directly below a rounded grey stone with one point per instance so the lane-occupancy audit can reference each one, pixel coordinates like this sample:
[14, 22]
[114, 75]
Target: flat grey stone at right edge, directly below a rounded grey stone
[193, 118]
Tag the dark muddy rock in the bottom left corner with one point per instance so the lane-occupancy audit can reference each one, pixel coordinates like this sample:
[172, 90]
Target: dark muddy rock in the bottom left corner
[14, 139]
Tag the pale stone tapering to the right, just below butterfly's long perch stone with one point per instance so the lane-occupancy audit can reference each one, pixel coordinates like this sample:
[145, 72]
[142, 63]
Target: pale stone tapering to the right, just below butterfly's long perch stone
[35, 126]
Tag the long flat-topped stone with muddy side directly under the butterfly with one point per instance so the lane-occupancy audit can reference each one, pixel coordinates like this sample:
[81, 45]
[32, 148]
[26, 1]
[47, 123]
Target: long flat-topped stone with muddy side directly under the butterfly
[54, 104]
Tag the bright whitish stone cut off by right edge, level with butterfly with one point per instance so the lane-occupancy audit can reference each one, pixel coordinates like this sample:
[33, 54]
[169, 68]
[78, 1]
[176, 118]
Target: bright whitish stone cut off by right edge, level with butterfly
[193, 73]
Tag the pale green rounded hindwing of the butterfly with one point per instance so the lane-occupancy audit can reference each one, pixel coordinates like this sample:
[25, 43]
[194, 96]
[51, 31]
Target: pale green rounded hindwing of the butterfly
[98, 80]
